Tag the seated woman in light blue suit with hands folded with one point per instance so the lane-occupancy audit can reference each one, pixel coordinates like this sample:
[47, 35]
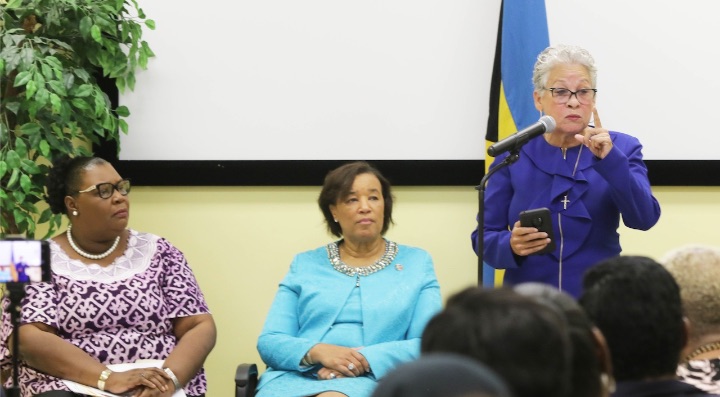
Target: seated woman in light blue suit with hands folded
[348, 312]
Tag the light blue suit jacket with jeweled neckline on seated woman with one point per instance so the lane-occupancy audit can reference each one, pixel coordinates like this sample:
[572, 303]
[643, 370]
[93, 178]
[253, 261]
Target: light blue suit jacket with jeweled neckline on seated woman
[397, 303]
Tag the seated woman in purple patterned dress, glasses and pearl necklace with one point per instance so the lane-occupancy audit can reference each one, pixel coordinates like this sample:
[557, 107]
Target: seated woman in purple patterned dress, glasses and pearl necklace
[116, 296]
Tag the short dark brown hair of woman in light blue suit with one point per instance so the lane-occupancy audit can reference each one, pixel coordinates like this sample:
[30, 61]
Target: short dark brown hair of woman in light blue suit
[338, 184]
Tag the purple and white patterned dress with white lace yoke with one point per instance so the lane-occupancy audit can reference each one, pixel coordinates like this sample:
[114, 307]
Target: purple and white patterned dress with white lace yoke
[118, 314]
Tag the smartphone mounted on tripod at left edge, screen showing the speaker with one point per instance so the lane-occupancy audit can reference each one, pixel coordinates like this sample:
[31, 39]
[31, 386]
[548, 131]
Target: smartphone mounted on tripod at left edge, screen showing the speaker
[24, 261]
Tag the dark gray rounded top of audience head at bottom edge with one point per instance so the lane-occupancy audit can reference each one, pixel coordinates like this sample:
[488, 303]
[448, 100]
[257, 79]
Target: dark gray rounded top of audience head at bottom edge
[442, 375]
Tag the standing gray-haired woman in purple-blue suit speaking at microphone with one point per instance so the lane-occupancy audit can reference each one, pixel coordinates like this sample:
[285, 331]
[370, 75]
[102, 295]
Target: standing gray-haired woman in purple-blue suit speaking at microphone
[586, 175]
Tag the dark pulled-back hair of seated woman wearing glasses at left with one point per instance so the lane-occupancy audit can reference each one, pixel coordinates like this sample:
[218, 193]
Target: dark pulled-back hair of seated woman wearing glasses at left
[64, 179]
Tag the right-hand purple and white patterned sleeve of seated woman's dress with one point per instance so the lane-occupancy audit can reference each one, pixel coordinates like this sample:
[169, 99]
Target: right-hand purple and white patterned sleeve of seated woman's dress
[182, 292]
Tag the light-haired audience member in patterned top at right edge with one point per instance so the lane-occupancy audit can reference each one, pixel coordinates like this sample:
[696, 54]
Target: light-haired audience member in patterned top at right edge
[696, 269]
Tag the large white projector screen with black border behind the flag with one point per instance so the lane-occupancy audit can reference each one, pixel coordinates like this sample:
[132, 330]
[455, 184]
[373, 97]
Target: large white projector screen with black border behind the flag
[296, 80]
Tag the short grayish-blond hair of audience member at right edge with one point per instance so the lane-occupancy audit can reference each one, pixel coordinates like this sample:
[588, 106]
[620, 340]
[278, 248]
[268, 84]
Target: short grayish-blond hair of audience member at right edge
[696, 269]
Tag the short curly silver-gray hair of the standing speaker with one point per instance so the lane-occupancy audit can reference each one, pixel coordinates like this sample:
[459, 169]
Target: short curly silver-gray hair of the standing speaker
[562, 54]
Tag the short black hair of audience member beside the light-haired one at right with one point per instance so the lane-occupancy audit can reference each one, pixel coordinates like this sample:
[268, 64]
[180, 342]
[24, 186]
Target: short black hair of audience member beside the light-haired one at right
[636, 304]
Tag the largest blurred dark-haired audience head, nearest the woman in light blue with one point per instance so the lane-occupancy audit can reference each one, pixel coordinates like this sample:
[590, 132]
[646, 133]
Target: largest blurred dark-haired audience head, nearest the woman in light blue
[524, 341]
